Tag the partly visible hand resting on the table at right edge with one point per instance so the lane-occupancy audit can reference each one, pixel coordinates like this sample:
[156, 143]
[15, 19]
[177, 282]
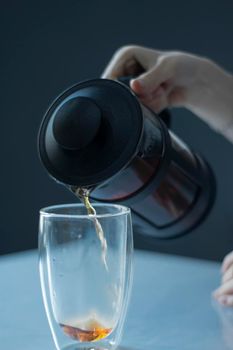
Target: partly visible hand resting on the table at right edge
[224, 294]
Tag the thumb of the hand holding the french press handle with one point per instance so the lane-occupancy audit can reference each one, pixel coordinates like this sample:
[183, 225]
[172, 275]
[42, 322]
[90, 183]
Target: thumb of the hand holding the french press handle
[149, 81]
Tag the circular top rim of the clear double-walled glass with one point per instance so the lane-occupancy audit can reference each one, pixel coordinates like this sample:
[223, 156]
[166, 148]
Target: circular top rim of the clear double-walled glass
[46, 210]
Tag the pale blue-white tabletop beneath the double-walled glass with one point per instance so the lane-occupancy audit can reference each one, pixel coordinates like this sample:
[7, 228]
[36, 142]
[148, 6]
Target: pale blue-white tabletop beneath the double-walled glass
[171, 305]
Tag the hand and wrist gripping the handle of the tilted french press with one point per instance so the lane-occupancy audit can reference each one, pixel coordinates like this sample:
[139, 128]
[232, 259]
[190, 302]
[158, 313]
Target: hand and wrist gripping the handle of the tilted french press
[177, 79]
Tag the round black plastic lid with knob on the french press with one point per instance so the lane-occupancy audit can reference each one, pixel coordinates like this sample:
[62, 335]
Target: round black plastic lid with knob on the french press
[90, 132]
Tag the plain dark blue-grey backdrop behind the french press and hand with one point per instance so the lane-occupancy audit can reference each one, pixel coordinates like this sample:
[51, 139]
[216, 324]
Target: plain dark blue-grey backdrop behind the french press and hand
[47, 46]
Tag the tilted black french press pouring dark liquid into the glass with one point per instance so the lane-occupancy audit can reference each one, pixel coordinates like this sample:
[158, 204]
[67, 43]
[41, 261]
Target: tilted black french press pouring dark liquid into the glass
[97, 135]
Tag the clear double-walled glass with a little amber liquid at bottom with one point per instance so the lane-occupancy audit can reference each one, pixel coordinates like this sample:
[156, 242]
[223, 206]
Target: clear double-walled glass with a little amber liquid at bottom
[85, 283]
